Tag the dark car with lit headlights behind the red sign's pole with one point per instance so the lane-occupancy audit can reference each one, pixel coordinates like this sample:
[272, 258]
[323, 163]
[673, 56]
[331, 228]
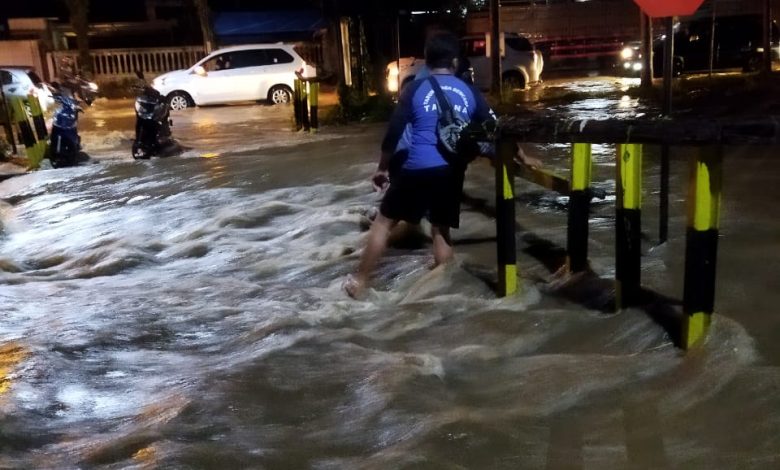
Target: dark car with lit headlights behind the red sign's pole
[738, 43]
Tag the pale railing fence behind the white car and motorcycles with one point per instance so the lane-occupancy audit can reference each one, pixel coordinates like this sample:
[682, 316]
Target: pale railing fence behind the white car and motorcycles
[114, 64]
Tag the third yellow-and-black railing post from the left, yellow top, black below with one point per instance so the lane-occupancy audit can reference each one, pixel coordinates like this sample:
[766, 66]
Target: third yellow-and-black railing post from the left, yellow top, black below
[628, 224]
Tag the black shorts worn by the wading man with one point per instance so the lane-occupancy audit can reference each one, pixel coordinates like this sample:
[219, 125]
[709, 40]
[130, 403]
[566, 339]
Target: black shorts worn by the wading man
[433, 193]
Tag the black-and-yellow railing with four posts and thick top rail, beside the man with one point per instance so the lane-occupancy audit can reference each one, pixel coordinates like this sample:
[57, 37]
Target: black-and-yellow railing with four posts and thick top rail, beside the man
[629, 136]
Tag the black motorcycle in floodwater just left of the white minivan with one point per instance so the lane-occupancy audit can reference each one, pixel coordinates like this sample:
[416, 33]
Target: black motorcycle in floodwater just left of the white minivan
[152, 125]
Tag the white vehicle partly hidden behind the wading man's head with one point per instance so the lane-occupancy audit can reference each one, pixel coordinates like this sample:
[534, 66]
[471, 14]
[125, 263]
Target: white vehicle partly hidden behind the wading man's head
[522, 63]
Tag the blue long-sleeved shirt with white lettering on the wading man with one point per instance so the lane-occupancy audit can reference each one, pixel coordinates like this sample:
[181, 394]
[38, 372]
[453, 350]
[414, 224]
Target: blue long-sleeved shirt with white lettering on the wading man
[414, 122]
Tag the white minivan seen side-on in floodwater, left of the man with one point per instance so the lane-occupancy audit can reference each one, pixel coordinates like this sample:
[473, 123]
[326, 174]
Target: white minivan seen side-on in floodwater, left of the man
[242, 73]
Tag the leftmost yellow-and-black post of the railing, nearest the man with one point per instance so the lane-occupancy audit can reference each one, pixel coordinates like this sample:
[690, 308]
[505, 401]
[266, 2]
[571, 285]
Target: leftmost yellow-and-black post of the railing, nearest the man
[505, 217]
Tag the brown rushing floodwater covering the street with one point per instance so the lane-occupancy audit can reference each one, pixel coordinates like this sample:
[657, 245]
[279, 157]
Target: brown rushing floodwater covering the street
[187, 313]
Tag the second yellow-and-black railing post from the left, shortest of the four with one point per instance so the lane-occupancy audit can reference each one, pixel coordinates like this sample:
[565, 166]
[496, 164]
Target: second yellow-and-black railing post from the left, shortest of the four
[579, 207]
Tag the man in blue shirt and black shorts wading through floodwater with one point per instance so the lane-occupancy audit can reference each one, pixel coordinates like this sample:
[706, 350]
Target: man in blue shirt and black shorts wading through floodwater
[425, 185]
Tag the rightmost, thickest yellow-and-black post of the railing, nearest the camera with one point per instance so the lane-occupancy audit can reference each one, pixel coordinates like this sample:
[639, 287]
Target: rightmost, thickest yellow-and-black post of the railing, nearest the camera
[701, 249]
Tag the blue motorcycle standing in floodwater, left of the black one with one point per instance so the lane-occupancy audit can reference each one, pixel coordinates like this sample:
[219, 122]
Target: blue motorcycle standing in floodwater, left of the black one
[64, 141]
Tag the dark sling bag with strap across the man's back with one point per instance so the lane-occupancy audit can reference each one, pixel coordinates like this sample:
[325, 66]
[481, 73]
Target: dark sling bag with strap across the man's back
[455, 145]
